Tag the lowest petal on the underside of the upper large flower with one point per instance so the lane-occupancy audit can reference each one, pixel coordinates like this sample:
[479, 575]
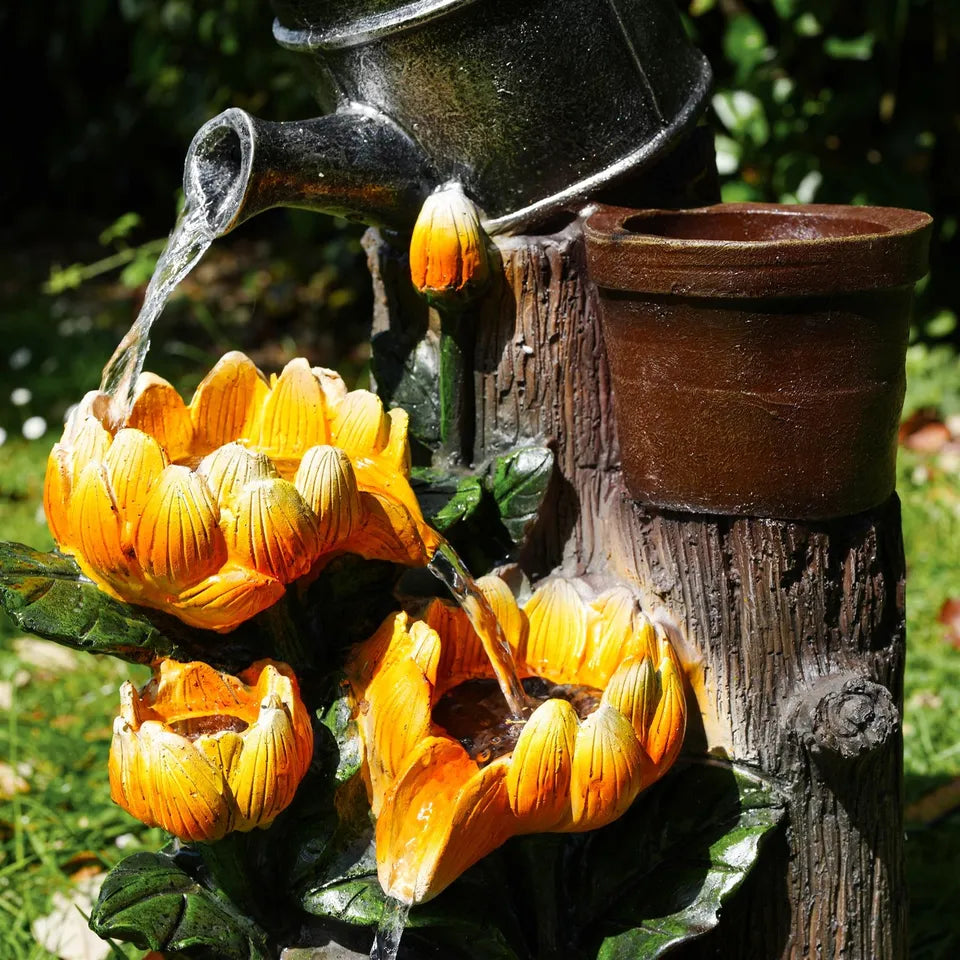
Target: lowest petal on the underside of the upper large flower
[225, 599]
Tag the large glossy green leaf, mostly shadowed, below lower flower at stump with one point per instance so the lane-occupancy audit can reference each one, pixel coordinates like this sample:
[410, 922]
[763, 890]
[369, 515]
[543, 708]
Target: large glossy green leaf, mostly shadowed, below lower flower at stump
[660, 875]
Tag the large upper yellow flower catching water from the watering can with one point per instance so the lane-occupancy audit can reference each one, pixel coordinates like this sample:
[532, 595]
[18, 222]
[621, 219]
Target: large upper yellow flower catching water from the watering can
[207, 510]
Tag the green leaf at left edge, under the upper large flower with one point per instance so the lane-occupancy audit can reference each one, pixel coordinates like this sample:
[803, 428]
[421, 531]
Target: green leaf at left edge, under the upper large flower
[46, 594]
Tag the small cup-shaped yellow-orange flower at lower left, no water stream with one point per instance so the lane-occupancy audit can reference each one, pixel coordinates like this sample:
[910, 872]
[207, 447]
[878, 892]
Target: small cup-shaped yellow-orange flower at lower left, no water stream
[201, 753]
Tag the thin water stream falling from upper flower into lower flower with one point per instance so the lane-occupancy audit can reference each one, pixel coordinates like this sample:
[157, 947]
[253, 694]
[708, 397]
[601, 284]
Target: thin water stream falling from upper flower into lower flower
[447, 566]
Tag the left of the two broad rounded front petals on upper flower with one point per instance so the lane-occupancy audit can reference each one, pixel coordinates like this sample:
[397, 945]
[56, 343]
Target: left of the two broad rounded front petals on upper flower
[178, 542]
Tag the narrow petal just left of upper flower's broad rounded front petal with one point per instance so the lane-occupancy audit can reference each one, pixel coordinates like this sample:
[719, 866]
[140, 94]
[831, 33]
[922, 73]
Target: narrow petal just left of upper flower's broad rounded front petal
[95, 525]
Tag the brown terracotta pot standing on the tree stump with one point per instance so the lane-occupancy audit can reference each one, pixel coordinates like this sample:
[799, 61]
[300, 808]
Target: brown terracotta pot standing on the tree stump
[757, 352]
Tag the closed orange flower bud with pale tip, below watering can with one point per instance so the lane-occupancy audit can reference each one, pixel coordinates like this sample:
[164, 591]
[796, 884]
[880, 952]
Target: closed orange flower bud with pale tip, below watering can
[448, 251]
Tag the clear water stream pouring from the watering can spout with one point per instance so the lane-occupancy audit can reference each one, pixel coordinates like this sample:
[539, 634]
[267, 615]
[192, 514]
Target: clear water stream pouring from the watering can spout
[187, 244]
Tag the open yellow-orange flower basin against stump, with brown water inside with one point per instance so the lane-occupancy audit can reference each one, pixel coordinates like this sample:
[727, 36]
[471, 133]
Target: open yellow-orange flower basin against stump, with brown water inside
[574, 766]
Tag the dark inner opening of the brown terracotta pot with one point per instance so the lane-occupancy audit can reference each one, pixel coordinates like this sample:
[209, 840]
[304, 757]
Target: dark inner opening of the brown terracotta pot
[750, 225]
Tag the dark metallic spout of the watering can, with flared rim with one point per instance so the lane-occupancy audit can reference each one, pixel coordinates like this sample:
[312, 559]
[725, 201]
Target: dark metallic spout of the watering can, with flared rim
[355, 163]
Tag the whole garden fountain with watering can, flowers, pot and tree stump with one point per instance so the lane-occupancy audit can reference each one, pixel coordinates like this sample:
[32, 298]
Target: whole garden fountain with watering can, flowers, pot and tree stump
[607, 498]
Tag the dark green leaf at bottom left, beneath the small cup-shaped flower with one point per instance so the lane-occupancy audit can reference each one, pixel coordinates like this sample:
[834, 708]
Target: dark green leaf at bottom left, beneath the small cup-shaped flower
[150, 901]
